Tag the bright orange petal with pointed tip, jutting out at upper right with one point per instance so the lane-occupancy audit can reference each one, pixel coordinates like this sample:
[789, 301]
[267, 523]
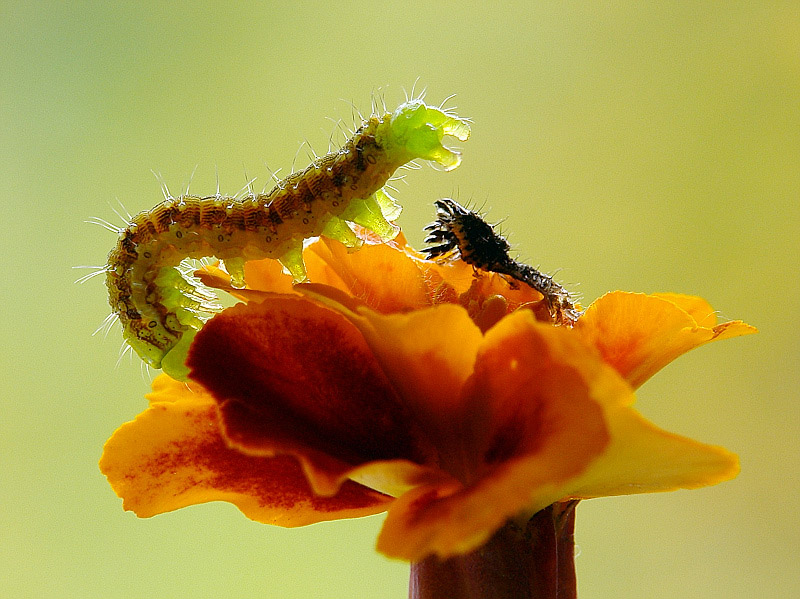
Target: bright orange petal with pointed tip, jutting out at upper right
[639, 334]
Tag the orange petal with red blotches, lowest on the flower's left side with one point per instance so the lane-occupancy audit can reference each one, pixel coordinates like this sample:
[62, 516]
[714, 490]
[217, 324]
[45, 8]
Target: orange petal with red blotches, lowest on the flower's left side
[173, 455]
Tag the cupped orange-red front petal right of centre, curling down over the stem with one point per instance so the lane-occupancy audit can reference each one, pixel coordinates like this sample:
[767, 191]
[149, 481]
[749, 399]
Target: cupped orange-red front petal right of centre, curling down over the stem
[532, 423]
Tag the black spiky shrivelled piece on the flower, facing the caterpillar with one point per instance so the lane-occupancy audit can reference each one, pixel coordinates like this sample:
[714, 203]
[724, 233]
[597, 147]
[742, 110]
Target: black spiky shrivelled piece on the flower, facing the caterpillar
[462, 233]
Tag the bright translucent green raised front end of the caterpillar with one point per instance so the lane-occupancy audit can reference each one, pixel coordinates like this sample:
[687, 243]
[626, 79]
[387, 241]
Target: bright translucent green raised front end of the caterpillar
[415, 130]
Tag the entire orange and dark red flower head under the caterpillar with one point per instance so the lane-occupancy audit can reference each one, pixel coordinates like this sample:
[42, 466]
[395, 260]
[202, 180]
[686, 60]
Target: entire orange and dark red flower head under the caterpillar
[426, 390]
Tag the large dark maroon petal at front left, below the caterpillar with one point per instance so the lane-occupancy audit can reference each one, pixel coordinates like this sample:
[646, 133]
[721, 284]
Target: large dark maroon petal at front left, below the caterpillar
[294, 377]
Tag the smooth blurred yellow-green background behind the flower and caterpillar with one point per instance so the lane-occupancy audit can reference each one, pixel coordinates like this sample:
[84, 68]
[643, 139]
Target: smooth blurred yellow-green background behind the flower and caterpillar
[639, 146]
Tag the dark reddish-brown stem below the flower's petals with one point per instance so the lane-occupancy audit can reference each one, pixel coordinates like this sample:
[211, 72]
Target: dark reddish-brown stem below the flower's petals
[531, 562]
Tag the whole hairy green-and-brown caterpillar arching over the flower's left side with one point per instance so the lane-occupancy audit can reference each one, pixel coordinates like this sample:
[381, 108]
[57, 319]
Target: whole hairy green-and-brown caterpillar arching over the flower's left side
[160, 311]
